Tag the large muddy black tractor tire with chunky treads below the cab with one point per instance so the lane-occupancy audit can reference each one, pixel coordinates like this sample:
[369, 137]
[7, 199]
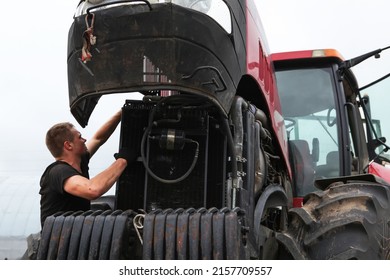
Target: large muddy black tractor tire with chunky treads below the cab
[346, 221]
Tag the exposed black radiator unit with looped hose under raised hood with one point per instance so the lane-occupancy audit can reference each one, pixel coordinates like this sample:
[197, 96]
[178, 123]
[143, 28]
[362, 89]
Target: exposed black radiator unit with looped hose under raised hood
[181, 156]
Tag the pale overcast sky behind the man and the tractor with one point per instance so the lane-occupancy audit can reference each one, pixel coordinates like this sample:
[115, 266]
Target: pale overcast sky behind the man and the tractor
[33, 71]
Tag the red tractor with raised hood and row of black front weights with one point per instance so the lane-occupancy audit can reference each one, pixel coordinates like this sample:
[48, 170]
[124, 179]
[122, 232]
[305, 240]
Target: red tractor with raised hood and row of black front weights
[217, 173]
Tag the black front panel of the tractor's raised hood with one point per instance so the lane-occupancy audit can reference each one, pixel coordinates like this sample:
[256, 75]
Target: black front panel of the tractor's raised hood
[143, 49]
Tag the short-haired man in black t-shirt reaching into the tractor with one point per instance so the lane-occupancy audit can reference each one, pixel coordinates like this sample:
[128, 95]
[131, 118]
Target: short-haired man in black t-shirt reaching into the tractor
[65, 184]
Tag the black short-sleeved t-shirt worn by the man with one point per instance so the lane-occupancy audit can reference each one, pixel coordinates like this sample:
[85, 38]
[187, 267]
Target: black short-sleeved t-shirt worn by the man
[53, 197]
